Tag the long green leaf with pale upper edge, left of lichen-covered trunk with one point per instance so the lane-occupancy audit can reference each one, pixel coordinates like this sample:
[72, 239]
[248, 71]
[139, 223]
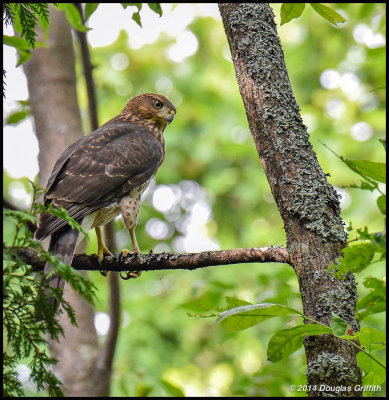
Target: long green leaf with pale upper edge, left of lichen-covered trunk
[245, 316]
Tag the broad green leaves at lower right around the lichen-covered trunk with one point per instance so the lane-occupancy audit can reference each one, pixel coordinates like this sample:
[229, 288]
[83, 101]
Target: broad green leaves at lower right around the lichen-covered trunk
[285, 342]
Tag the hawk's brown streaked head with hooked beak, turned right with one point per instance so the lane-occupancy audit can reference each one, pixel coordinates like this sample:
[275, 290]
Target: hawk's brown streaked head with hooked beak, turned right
[152, 110]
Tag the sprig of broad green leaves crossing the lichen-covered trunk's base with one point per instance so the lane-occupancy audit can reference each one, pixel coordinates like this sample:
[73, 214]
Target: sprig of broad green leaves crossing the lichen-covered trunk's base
[240, 315]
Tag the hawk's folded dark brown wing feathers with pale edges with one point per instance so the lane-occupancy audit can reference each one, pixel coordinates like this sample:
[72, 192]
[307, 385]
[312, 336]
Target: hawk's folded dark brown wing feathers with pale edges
[96, 172]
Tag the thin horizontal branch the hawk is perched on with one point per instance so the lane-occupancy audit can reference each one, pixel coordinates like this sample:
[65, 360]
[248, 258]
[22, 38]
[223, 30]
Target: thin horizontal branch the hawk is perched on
[162, 261]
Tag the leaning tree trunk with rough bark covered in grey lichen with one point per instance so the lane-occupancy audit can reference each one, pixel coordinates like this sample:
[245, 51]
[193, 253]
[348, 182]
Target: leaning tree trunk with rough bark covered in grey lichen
[308, 204]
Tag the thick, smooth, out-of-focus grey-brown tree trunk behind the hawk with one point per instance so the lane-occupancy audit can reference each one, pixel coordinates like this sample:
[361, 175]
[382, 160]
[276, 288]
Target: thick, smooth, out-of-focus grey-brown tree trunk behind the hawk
[54, 105]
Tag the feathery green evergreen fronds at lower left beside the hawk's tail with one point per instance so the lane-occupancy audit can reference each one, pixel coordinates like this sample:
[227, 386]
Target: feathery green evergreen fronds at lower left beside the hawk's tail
[27, 314]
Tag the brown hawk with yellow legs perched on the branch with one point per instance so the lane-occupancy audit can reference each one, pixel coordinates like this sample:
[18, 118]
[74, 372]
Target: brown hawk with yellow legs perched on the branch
[104, 174]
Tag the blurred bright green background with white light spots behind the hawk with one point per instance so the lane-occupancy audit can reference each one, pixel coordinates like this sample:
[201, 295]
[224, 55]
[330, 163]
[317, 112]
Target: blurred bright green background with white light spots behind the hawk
[211, 193]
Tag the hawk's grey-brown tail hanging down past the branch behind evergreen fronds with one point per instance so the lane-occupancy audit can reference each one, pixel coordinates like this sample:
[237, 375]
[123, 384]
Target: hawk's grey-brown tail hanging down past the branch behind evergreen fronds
[62, 244]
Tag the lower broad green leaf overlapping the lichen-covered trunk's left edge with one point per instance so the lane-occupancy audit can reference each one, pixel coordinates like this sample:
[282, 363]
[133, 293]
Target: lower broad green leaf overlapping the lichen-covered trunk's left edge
[286, 341]
